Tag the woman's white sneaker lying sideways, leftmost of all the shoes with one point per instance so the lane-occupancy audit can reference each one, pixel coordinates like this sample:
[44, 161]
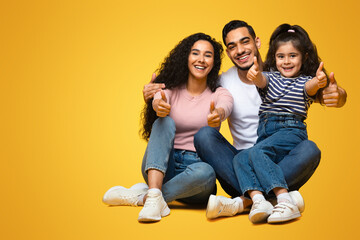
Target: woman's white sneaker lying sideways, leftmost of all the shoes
[120, 196]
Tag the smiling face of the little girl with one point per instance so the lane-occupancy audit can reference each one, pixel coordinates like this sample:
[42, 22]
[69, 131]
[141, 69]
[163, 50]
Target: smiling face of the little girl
[288, 60]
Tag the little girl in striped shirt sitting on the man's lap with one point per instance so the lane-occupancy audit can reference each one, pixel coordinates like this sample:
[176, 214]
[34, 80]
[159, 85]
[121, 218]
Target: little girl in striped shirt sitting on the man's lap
[291, 84]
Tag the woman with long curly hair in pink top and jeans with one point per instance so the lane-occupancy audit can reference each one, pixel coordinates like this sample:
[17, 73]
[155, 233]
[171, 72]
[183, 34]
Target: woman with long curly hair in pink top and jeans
[191, 100]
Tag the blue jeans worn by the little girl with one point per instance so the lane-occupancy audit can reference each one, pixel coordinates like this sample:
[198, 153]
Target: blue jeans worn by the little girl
[256, 168]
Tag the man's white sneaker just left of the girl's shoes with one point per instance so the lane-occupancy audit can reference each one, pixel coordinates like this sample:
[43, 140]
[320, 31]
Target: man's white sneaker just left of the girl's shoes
[219, 206]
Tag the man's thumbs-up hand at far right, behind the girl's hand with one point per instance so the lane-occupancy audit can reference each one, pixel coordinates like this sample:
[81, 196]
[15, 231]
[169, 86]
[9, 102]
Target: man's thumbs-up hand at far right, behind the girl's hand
[333, 95]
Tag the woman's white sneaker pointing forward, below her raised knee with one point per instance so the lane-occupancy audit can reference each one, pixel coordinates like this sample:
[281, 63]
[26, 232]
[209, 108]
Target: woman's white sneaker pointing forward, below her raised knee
[154, 208]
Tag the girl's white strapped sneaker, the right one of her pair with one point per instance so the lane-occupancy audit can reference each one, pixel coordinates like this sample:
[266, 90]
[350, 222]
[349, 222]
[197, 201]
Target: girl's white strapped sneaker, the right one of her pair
[283, 212]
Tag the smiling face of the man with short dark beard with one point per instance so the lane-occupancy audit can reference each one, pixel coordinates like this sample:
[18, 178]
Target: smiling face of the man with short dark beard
[241, 48]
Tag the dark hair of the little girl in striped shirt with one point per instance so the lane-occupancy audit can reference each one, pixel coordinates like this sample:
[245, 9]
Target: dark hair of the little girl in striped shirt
[301, 41]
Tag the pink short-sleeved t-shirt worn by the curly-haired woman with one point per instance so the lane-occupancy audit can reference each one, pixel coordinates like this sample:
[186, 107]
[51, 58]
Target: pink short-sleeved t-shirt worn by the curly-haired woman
[190, 113]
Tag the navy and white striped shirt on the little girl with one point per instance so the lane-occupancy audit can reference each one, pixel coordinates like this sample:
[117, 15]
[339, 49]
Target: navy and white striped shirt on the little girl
[285, 95]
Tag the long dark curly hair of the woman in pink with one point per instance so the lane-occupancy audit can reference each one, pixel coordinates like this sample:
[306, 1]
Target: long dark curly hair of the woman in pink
[174, 72]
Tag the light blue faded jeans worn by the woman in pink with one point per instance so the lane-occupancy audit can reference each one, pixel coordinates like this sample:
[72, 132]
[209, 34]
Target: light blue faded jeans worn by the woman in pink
[186, 177]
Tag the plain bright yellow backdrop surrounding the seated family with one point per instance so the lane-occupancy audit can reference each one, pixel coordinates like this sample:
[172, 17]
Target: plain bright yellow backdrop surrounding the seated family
[71, 75]
